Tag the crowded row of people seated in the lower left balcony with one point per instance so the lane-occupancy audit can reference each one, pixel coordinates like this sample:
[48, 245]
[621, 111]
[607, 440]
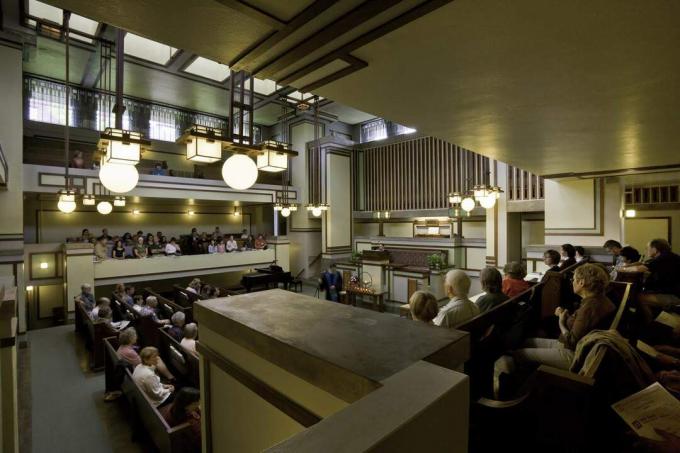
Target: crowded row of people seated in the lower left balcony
[141, 245]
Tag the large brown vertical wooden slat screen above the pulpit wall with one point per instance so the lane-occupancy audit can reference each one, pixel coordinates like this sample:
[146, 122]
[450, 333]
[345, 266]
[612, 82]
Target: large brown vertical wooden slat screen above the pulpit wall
[418, 174]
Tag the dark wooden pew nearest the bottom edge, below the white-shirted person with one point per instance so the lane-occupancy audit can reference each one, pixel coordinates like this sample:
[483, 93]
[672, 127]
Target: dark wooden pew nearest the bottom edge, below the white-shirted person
[167, 439]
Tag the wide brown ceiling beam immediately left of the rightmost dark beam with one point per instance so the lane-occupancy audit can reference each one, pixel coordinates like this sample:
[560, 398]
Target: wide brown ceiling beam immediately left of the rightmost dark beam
[326, 35]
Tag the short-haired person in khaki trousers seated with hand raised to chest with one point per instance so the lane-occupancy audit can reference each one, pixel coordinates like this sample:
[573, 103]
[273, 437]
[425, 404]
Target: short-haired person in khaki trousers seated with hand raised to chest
[590, 282]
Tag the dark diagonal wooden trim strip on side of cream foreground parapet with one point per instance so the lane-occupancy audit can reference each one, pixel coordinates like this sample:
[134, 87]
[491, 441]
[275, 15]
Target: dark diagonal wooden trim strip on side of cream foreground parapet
[277, 399]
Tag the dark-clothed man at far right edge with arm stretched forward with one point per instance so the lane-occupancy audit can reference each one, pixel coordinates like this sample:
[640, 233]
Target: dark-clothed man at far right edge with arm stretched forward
[662, 285]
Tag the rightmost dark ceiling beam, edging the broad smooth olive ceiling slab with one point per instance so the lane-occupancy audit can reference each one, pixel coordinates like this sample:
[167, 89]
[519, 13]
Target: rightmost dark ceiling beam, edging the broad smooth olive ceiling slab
[388, 27]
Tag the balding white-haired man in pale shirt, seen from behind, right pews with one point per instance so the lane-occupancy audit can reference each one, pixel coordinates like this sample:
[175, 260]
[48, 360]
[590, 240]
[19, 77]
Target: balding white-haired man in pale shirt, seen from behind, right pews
[460, 309]
